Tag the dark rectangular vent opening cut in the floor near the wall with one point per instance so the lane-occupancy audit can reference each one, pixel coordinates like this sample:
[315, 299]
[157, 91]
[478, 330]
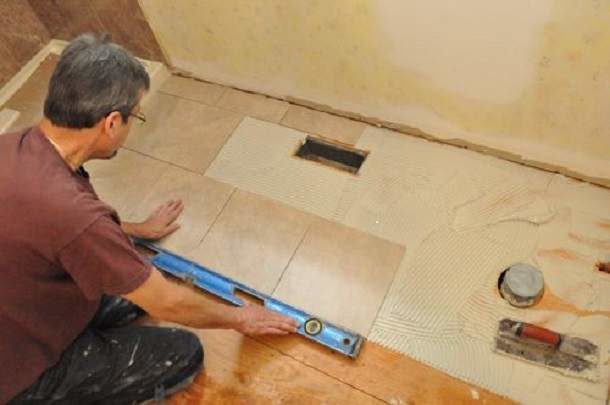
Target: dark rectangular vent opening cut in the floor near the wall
[331, 154]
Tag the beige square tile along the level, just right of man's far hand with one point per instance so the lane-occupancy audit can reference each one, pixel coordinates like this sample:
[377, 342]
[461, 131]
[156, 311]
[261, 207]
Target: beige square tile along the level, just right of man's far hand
[253, 240]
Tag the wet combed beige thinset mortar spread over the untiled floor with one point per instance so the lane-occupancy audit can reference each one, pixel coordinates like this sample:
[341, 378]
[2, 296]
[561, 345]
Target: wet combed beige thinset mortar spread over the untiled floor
[463, 218]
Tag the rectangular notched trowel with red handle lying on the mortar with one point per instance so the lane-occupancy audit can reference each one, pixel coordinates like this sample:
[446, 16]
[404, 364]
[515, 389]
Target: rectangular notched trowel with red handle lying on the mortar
[568, 355]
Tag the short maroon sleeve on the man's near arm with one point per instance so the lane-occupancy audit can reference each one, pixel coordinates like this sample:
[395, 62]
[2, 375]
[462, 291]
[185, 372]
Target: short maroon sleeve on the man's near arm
[102, 260]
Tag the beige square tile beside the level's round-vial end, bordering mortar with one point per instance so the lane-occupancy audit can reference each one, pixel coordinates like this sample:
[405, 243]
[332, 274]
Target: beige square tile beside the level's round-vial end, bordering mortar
[340, 274]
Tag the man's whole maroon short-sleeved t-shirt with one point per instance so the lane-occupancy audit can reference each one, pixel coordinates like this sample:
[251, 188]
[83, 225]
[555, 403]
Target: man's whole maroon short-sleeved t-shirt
[61, 249]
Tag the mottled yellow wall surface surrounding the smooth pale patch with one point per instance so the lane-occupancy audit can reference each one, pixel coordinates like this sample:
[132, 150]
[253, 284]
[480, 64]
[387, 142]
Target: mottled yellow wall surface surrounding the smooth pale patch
[335, 53]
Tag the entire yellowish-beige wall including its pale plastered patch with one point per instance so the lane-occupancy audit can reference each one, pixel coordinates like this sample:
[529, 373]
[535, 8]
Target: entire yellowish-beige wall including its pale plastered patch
[530, 77]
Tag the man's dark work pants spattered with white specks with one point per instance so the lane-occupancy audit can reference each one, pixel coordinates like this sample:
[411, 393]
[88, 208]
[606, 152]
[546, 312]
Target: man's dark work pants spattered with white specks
[113, 362]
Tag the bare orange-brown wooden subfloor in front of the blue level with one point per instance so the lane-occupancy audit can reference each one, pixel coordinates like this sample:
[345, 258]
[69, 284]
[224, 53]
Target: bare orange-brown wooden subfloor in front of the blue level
[293, 370]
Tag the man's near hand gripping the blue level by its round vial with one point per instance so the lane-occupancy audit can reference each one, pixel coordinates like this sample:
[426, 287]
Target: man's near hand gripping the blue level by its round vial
[255, 320]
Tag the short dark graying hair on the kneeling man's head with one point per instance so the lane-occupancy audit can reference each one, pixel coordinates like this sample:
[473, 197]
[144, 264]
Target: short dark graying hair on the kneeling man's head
[93, 78]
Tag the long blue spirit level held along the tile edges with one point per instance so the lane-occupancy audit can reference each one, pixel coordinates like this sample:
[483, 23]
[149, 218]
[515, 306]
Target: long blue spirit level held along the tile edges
[324, 333]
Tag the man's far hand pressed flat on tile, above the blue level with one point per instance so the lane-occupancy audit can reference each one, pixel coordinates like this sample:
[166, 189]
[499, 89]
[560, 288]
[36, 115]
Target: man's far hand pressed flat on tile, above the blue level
[159, 224]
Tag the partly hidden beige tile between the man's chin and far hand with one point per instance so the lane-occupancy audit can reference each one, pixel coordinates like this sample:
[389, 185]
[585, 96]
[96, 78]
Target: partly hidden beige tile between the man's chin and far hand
[123, 181]
